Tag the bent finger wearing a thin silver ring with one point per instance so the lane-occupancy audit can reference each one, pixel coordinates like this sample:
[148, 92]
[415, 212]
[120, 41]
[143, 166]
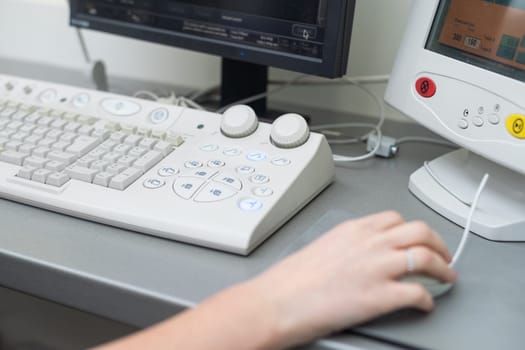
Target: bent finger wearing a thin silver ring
[424, 261]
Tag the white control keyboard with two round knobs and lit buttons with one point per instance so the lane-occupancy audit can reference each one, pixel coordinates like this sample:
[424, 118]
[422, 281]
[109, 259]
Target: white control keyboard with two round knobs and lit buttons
[225, 182]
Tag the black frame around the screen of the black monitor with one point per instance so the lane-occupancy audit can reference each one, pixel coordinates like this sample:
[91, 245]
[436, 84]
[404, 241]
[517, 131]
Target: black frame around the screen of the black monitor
[340, 14]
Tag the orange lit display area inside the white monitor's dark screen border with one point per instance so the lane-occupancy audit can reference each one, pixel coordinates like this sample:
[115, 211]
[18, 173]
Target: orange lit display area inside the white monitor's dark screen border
[493, 29]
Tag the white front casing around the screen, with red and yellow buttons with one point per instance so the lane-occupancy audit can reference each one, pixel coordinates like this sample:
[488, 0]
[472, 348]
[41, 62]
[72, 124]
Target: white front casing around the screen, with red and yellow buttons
[463, 91]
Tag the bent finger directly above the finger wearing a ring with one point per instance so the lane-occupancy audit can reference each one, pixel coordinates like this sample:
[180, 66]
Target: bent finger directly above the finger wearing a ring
[417, 233]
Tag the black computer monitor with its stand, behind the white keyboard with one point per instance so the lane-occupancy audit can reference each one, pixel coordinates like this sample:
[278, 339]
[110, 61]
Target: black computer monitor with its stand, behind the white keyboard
[309, 36]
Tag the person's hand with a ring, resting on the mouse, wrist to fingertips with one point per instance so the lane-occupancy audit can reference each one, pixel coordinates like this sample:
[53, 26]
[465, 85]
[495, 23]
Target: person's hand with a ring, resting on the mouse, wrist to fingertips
[350, 275]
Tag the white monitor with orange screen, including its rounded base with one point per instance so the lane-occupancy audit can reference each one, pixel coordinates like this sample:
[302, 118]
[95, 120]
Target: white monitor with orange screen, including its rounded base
[460, 72]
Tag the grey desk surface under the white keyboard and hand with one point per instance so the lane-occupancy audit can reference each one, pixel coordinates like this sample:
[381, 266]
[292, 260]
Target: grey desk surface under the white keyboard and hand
[140, 279]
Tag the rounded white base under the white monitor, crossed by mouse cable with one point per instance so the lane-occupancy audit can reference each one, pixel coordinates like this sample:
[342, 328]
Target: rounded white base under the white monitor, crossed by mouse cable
[455, 177]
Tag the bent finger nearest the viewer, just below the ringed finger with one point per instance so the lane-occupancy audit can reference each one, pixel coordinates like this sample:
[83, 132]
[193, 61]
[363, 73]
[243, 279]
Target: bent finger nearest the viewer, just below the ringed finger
[409, 295]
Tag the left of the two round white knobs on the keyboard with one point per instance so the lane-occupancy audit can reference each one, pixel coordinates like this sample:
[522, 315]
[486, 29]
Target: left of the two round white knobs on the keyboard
[239, 121]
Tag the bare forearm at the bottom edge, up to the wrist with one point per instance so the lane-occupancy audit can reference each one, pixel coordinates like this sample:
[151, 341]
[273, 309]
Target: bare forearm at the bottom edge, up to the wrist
[238, 318]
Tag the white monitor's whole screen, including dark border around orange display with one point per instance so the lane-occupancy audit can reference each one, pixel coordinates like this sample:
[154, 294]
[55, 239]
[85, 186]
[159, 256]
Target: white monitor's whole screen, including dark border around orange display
[488, 34]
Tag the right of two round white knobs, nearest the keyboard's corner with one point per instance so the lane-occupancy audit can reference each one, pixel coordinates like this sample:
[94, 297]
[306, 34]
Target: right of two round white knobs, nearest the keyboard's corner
[290, 131]
